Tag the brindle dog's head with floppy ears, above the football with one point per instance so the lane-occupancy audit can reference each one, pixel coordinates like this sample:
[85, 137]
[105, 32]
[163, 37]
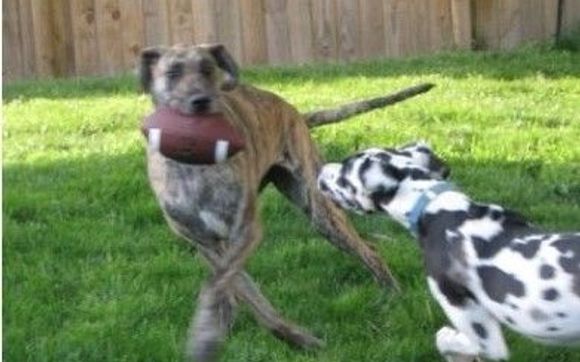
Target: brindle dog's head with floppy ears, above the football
[188, 79]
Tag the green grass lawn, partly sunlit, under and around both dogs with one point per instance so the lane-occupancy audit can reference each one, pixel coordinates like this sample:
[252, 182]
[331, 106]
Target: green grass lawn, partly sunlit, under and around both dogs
[92, 273]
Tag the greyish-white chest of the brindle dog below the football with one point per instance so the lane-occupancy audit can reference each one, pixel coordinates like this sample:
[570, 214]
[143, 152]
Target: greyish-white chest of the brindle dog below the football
[199, 202]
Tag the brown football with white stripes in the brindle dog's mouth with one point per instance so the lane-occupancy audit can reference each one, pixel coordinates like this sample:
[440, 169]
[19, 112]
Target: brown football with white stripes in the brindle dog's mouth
[194, 139]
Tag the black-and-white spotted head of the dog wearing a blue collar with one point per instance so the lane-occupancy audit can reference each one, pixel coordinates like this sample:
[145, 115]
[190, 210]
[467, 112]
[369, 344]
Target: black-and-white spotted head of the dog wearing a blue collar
[367, 181]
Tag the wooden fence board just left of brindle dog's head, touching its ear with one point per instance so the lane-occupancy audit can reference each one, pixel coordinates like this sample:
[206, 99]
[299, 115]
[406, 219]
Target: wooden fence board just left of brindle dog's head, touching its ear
[133, 36]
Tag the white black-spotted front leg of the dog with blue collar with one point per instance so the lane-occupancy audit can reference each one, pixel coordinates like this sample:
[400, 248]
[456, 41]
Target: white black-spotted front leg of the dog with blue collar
[476, 333]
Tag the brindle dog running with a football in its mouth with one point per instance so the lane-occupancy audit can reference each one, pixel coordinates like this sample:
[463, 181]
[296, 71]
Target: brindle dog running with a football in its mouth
[215, 207]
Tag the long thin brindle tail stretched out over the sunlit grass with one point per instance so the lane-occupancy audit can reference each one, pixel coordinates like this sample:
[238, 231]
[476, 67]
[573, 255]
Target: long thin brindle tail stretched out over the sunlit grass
[333, 115]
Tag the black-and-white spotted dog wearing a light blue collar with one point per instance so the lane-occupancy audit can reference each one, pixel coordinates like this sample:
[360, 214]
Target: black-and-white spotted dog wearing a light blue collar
[486, 265]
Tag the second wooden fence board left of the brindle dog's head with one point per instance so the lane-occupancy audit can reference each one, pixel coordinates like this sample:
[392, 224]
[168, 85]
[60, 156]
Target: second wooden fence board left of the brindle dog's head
[109, 30]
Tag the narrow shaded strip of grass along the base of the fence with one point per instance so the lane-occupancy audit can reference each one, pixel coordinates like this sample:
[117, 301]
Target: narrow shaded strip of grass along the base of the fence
[521, 63]
